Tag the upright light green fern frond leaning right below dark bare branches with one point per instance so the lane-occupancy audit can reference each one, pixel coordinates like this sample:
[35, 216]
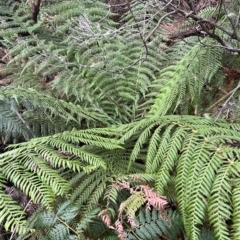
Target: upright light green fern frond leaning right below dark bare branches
[186, 78]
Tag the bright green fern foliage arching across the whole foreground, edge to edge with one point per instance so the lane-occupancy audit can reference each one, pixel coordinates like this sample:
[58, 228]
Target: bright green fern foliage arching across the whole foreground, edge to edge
[198, 157]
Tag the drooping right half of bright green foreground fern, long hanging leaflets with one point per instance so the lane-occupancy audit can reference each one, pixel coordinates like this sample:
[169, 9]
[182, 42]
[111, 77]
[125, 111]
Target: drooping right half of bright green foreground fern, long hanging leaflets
[201, 158]
